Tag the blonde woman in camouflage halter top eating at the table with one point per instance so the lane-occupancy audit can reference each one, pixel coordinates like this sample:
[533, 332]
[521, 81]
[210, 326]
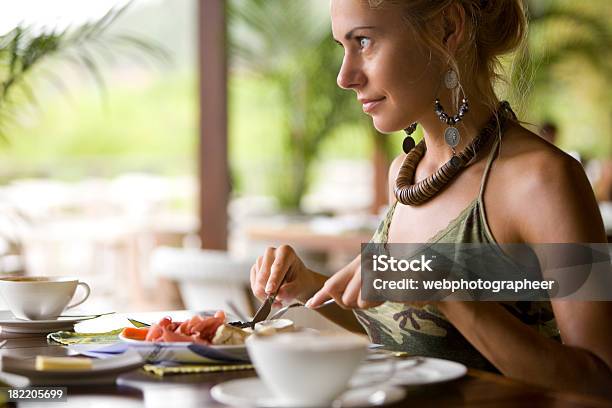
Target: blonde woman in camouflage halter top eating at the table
[481, 179]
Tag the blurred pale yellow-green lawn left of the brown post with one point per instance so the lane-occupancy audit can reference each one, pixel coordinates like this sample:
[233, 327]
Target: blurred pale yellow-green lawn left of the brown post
[149, 126]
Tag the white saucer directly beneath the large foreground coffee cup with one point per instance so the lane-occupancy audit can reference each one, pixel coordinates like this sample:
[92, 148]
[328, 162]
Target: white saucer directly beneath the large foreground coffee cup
[251, 392]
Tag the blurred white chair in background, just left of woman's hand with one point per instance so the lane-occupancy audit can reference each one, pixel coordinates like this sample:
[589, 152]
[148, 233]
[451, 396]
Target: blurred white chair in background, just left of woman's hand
[207, 279]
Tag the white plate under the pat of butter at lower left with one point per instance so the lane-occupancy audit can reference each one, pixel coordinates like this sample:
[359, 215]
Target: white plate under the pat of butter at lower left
[102, 371]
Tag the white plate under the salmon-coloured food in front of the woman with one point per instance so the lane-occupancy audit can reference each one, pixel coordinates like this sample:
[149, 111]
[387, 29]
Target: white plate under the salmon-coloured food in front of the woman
[185, 352]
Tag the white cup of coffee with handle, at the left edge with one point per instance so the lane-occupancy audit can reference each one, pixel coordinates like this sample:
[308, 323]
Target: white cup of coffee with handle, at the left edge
[39, 297]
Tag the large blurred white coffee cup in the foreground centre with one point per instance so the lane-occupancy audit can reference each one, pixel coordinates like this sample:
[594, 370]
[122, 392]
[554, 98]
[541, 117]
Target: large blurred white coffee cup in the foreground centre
[304, 368]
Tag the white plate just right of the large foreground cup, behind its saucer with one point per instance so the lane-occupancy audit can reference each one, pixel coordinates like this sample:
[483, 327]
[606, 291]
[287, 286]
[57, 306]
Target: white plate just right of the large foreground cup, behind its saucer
[414, 371]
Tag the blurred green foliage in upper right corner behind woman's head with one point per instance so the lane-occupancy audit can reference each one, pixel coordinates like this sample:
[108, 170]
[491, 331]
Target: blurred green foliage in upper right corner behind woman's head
[562, 72]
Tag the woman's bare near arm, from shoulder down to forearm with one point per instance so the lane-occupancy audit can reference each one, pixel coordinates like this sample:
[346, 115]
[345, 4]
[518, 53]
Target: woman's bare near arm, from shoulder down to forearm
[560, 208]
